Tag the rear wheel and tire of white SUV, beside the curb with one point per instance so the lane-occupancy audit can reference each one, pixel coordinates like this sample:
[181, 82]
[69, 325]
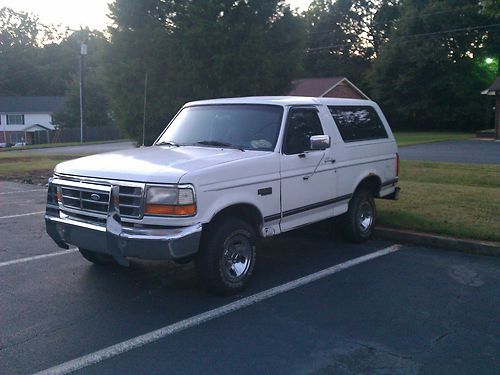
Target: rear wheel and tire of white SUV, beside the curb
[359, 220]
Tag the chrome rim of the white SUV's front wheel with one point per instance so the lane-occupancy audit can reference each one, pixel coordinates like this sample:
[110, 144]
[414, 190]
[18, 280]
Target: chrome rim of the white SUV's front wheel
[237, 257]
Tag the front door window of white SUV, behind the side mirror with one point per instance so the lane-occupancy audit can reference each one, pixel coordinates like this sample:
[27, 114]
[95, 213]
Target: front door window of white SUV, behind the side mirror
[301, 125]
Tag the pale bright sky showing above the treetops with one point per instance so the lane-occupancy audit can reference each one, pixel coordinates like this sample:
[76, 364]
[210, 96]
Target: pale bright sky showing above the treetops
[76, 13]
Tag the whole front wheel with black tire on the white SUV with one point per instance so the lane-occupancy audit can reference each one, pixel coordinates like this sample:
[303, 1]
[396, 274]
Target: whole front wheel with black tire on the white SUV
[226, 259]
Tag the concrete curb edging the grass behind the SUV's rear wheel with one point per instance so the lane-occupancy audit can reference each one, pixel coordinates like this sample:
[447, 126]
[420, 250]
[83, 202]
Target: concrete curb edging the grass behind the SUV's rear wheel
[443, 242]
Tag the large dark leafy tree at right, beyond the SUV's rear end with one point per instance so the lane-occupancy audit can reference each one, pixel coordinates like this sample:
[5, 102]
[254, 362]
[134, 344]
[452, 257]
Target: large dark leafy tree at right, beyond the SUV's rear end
[429, 75]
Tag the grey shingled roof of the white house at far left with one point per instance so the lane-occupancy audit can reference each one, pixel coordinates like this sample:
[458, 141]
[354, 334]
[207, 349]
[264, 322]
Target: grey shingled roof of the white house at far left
[30, 104]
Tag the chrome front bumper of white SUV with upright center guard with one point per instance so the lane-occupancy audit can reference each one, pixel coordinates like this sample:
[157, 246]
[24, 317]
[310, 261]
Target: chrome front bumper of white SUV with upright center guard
[120, 240]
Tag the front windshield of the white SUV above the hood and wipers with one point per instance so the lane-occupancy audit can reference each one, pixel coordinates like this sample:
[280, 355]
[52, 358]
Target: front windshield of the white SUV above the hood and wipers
[249, 127]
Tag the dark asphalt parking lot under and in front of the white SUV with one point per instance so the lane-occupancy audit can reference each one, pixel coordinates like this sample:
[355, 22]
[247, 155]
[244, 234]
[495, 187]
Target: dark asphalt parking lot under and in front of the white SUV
[407, 310]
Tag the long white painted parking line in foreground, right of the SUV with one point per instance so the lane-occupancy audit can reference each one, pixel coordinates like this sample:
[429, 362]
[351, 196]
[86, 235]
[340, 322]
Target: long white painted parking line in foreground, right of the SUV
[137, 342]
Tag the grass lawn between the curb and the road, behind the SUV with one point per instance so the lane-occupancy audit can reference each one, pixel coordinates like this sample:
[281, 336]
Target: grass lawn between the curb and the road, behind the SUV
[460, 200]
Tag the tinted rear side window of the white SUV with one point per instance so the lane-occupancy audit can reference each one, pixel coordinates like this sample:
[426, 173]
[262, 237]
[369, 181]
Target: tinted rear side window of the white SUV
[358, 123]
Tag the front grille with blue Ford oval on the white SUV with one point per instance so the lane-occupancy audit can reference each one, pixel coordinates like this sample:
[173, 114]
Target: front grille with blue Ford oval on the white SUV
[84, 200]
